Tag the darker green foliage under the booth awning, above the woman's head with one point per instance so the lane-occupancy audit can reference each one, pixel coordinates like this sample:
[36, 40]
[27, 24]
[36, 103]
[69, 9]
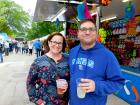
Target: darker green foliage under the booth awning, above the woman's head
[40, 29]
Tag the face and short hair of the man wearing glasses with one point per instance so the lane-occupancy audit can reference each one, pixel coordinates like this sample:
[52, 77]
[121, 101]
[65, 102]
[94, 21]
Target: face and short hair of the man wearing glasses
[87, 33]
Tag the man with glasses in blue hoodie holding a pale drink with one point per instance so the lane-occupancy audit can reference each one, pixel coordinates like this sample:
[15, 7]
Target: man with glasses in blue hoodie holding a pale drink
[95, 66]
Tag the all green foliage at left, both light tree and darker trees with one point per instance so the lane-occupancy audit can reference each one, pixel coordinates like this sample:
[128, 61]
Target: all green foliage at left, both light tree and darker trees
[15, 22]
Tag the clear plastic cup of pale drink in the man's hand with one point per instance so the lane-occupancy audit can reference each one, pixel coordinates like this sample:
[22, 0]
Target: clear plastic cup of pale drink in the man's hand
[80, 92]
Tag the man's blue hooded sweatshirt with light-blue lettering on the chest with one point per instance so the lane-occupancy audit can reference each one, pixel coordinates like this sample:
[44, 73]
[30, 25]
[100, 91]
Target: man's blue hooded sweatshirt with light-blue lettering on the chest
[98, 64]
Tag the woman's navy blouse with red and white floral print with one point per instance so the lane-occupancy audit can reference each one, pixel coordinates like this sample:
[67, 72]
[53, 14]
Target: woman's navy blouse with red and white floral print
[41, 81]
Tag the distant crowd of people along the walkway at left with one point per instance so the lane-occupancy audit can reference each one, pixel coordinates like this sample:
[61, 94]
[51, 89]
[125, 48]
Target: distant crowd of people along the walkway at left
[23, 47]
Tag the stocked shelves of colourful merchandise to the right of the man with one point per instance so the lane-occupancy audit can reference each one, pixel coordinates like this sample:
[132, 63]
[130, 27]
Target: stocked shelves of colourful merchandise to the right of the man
[124, 41]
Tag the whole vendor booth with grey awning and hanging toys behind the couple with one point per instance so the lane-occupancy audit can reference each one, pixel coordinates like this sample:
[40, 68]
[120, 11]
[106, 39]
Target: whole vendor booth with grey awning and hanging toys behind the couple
[118, 23]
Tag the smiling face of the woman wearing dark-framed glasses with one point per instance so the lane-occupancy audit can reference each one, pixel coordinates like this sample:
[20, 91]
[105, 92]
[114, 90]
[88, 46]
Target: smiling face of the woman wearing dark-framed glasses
[56, 44]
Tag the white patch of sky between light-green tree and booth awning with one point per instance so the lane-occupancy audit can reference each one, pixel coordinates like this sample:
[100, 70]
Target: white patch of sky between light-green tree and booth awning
[28, 5]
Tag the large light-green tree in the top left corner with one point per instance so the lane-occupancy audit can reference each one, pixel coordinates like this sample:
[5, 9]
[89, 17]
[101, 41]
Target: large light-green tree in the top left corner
[13, 19]
